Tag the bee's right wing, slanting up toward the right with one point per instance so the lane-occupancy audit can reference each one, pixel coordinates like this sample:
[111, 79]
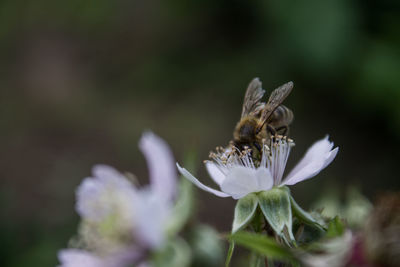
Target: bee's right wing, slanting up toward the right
[276, 98]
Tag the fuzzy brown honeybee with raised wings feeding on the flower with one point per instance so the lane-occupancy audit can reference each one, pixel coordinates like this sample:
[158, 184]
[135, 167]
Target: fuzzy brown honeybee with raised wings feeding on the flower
[260, 121]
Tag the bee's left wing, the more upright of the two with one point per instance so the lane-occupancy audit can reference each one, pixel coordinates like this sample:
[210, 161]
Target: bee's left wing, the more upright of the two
[251, 103]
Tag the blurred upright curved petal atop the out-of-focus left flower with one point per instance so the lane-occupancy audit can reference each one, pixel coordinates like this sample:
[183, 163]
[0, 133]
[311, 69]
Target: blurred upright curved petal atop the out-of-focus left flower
[160, 162]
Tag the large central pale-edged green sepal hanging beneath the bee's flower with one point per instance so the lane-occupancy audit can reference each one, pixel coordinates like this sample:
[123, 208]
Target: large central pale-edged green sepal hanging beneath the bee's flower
[275, 205]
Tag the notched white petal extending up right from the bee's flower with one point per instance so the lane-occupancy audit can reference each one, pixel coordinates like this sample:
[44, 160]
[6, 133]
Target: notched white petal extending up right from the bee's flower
[318, 156]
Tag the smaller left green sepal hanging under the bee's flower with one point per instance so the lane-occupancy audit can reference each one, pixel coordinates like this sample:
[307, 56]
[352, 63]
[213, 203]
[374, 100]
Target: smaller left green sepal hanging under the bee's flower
[244, 211]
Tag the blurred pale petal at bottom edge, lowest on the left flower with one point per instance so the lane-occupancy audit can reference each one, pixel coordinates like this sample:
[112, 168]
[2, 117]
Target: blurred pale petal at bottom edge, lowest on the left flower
[79, 258]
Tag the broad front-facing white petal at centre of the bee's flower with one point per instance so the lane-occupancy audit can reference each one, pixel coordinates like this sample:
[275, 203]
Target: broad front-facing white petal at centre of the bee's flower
[242, 181]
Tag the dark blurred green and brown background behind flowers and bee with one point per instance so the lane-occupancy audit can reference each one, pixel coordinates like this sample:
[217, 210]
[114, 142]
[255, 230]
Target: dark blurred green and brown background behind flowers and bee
[81, 80]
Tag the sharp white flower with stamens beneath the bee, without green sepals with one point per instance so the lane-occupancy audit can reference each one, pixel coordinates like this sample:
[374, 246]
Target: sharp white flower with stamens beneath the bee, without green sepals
[238, 175]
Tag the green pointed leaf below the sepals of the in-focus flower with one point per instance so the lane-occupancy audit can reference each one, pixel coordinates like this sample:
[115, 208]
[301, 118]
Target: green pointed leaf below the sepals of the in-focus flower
[263, 245]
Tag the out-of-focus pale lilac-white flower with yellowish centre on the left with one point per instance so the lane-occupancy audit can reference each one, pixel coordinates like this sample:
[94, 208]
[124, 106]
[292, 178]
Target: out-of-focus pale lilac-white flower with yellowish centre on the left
[120, 221]
